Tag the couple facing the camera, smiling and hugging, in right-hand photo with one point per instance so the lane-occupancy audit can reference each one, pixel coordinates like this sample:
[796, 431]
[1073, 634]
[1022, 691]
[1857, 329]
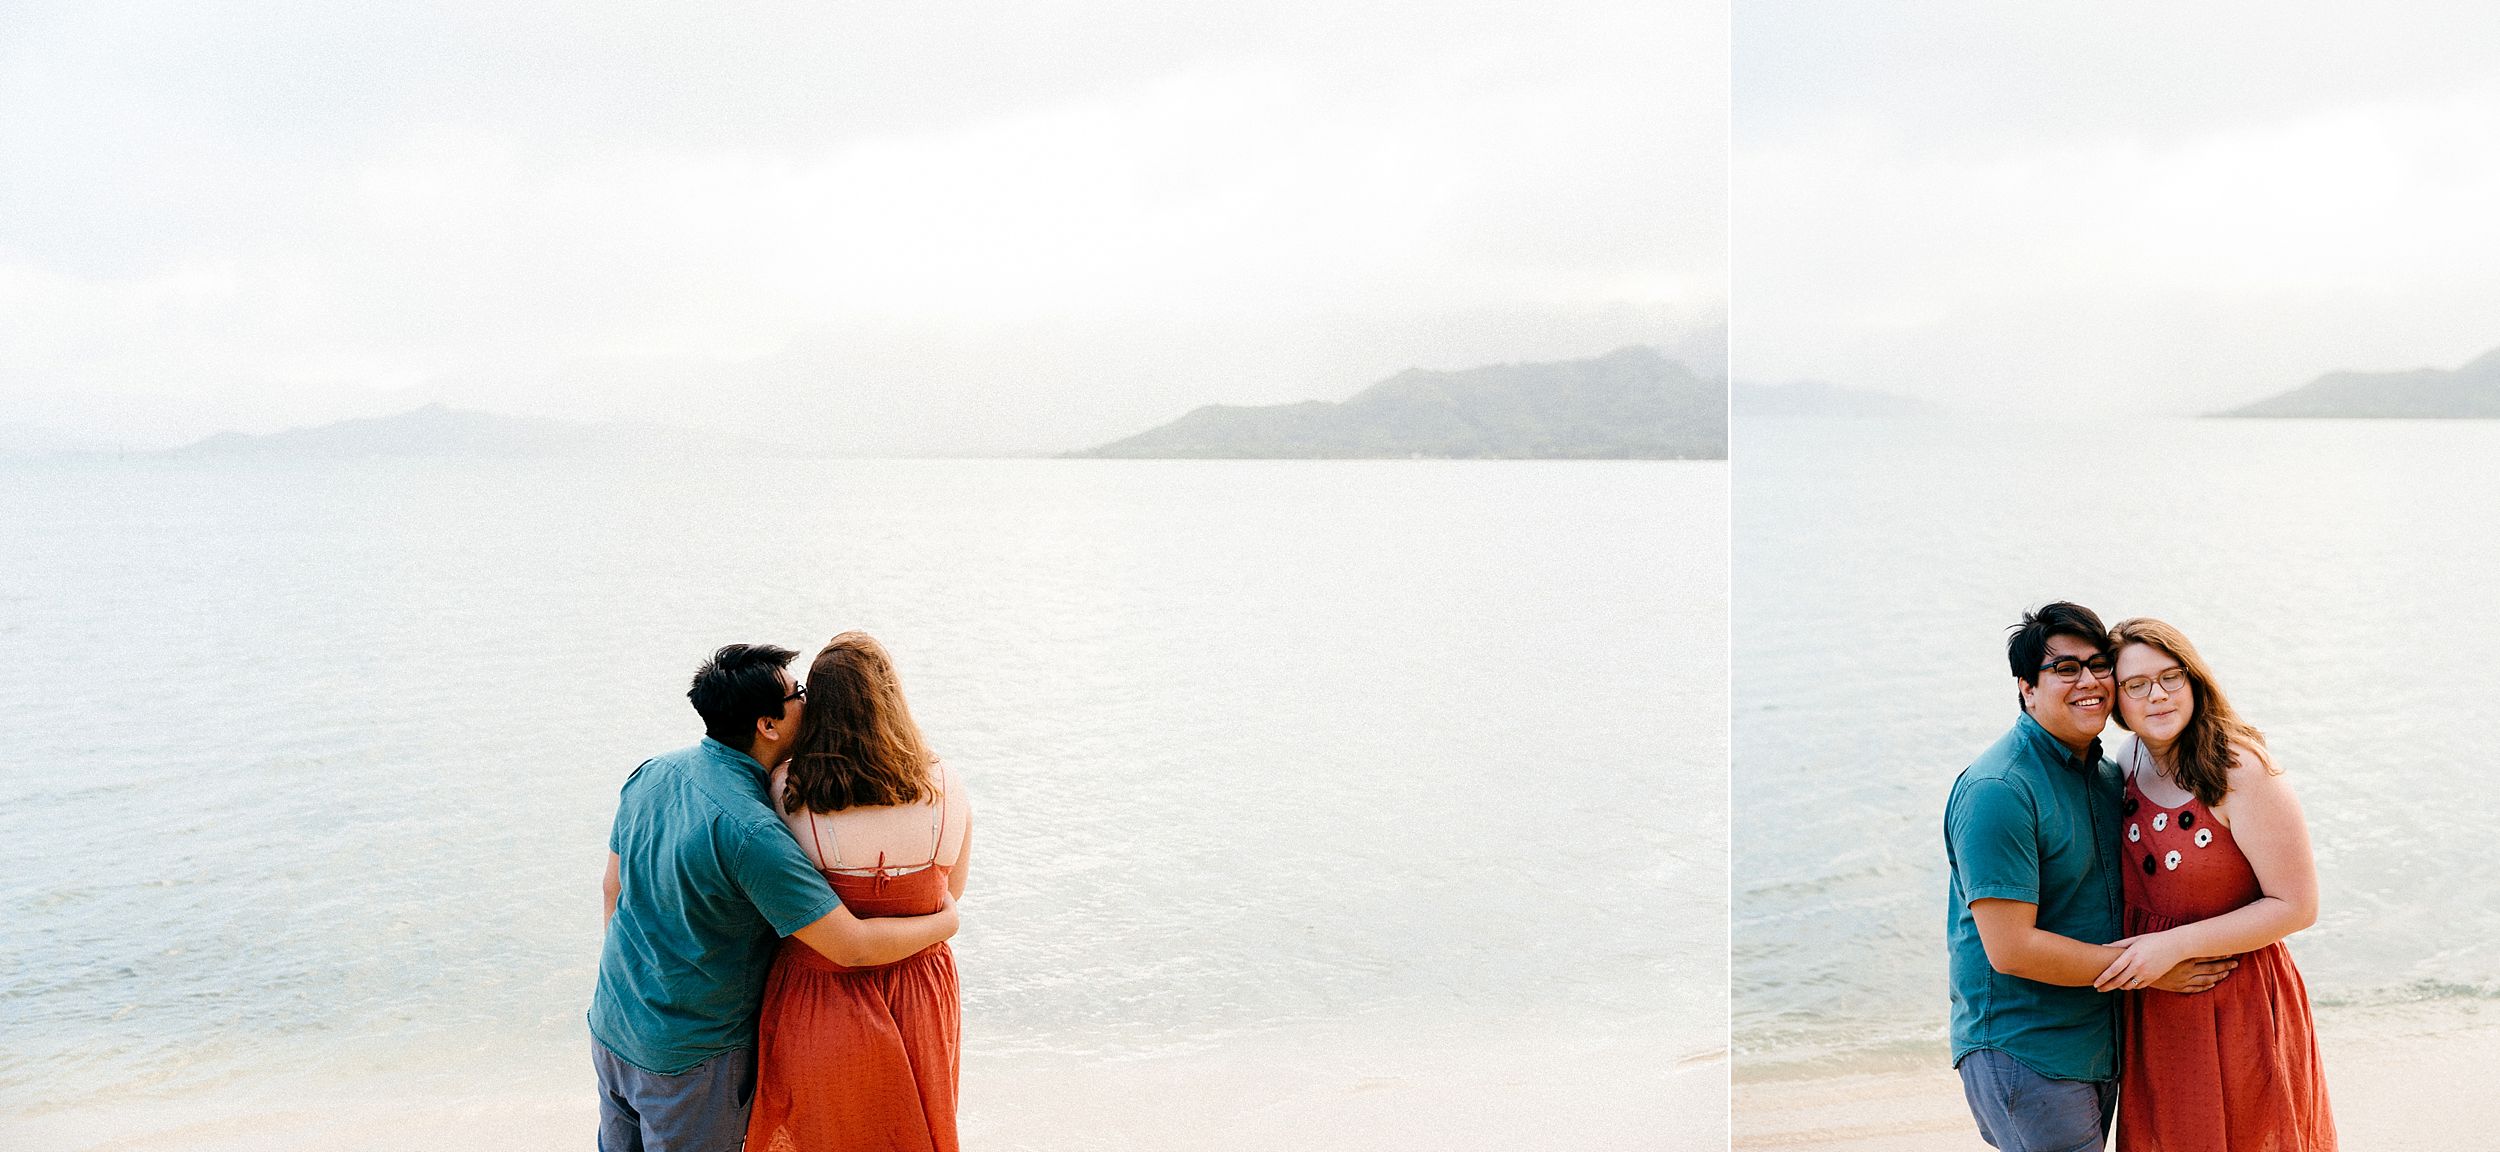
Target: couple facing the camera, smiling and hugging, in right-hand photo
[2116, 921]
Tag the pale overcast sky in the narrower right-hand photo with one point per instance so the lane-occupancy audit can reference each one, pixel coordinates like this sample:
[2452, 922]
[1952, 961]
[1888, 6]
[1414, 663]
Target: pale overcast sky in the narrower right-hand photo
[2111, 206]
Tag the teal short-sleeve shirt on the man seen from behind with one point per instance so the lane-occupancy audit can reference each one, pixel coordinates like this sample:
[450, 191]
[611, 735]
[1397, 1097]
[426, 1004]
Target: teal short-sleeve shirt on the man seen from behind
[709, 886]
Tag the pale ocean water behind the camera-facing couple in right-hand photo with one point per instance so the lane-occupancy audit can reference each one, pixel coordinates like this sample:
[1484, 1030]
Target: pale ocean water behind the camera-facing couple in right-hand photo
[2339, 576]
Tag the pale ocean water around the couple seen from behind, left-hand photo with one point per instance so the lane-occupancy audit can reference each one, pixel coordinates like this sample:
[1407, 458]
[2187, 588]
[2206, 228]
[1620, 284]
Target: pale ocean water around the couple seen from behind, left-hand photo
[311, 763]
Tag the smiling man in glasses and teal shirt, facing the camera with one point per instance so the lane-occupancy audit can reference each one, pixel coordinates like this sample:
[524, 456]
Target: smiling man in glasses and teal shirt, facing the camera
[2031, 841]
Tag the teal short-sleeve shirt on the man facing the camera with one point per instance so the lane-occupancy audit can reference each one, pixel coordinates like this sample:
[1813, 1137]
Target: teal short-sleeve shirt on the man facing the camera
[2036, 823]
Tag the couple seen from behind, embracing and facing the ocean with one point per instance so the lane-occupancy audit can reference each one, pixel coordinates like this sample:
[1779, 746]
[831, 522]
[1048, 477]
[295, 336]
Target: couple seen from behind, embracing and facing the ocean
[779, 901]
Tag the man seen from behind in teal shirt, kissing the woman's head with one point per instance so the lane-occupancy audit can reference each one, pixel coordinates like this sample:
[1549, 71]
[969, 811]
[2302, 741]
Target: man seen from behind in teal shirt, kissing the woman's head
[701, 883]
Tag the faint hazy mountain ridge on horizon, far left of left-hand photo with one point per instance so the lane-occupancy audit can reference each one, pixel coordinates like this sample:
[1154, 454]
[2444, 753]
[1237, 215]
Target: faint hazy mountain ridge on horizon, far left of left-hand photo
[436, 431]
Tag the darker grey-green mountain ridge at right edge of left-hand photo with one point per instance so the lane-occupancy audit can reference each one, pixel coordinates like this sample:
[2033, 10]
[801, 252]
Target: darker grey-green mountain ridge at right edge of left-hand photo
[1624, 406]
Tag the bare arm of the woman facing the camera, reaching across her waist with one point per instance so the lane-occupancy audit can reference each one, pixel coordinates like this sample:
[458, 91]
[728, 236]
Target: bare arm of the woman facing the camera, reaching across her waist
[2276, 841]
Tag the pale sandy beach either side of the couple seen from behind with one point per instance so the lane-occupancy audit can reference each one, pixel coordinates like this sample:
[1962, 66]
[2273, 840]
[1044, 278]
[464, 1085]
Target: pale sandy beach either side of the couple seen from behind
[1279, 1093]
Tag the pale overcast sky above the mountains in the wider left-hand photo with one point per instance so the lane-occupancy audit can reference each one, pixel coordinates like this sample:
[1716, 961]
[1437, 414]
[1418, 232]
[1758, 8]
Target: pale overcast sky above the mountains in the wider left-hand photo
[991, 226]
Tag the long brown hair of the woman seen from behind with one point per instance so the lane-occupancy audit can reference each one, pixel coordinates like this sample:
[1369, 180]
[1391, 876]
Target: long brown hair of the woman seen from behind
[859, 743]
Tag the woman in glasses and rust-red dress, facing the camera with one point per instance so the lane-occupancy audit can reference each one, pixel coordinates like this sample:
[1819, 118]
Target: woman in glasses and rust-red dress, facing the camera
[2216, 863]
